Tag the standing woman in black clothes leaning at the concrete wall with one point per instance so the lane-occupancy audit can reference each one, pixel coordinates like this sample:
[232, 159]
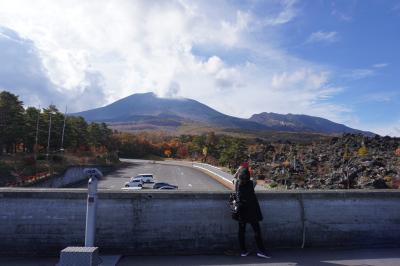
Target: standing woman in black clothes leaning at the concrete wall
[249, 211]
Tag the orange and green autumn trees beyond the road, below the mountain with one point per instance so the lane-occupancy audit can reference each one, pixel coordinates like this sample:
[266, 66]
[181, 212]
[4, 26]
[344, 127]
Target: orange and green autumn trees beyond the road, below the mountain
[211, 148]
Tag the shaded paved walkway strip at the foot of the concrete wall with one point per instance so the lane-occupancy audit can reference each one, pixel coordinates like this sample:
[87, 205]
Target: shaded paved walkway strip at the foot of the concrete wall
[282, 257]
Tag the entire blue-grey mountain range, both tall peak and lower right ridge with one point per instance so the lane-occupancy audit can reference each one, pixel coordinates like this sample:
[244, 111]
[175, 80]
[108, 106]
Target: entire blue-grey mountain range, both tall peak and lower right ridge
[146, 111]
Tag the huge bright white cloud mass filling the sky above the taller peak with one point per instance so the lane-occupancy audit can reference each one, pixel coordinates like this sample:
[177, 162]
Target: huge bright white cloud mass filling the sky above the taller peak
[100, 51]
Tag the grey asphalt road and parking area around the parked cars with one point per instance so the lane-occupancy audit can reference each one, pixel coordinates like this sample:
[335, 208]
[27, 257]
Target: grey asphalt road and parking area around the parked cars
[185, 177]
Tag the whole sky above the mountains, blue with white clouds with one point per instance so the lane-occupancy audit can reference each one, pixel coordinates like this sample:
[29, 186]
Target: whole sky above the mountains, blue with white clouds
[334, 59]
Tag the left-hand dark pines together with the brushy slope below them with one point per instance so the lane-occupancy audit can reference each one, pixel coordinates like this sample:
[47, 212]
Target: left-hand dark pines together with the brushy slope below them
[41, 142]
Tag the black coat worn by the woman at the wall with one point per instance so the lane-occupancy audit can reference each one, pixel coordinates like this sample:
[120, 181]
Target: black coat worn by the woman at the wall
[249, 208]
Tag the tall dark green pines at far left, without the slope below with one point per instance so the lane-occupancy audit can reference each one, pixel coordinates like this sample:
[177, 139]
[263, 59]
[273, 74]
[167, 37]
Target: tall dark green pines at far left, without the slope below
[46, 130]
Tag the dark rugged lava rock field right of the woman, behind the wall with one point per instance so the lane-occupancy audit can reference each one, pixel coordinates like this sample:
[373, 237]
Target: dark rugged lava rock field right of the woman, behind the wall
[346, 162]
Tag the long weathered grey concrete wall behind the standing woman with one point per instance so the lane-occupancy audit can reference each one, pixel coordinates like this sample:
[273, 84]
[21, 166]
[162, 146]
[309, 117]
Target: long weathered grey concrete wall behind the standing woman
[43, 221]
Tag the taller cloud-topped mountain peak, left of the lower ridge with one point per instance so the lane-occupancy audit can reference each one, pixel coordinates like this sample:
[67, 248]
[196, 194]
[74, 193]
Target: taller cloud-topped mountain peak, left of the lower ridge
[148, 109]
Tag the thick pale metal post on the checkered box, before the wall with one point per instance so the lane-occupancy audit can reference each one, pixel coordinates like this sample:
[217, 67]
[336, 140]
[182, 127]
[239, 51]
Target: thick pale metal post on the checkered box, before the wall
[91, 212]
